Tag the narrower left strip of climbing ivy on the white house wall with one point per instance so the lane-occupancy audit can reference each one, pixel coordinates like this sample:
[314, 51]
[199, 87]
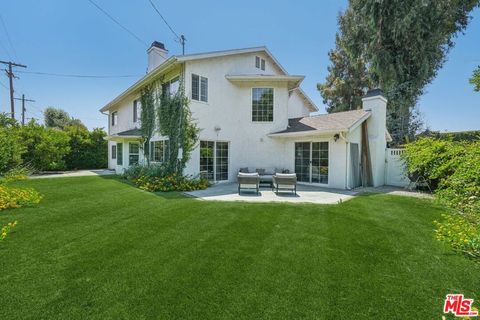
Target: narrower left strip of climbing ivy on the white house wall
[147, 117]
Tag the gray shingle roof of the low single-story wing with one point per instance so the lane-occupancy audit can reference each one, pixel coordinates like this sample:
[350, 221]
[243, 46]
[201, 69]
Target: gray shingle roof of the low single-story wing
[340, 121]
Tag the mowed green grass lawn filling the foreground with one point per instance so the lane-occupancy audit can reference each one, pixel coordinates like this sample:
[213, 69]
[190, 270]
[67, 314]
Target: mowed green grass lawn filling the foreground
[98, 248]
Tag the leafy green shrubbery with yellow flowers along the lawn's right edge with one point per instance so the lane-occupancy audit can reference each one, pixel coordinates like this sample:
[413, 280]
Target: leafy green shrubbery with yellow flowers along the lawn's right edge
[455, 166]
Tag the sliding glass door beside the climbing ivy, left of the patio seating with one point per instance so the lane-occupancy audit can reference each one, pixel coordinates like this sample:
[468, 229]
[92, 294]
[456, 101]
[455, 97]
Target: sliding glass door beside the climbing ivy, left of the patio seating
[214, 160]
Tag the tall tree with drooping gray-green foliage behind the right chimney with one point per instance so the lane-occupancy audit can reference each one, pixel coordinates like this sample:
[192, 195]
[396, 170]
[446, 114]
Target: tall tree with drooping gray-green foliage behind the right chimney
[403, 44]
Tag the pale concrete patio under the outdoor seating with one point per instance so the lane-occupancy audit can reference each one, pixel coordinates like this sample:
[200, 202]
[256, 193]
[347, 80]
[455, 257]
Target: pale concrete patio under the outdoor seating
[305, 193]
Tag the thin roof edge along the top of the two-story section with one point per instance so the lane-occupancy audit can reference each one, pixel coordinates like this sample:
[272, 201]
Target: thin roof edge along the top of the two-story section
[173, 60]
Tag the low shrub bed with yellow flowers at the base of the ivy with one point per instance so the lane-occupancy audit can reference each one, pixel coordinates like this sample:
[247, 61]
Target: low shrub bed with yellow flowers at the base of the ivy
[171, 182]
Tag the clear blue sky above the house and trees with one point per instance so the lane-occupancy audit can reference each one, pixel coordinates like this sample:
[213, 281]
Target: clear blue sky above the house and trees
[74, 37]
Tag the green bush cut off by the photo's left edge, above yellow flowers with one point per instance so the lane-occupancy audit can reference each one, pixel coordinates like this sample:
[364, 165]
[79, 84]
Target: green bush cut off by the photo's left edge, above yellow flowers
[11, 148]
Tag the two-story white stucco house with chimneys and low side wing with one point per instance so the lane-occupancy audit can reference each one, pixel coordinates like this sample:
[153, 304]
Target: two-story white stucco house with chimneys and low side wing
[253, 113]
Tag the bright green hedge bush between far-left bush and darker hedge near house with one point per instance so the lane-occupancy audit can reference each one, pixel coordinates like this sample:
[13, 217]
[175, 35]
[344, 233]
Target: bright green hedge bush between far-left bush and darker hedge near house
[46, 148]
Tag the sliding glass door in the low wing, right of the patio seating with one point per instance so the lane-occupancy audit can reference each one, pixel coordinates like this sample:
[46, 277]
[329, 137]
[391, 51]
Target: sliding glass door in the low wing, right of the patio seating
[311, 162]
